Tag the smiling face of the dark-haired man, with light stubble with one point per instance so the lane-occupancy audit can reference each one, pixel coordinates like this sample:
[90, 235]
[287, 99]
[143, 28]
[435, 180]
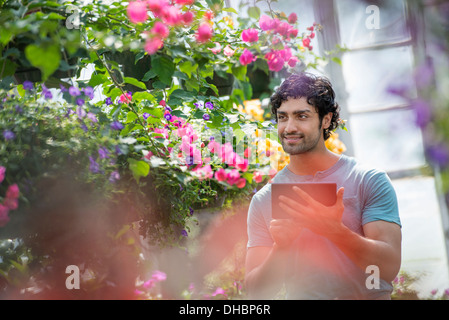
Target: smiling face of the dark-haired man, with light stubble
[299, 126]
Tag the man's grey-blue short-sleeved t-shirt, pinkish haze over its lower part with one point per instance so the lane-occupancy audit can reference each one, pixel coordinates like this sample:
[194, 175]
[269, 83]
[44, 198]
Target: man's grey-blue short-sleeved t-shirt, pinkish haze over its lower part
[319, 269]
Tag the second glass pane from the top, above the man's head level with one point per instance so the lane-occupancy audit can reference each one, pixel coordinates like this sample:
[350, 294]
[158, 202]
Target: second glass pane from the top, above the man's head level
[370, 74]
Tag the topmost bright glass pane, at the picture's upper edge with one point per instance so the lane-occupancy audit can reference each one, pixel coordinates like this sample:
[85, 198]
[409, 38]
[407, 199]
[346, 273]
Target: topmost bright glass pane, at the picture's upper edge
[364, 23]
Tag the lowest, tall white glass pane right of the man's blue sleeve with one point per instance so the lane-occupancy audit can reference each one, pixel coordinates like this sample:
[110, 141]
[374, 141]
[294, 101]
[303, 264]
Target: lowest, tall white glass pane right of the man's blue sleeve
[423, 243]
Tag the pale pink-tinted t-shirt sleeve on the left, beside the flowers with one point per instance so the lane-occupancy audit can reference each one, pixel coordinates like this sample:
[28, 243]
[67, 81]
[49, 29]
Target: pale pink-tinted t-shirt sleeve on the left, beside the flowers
[258, 232]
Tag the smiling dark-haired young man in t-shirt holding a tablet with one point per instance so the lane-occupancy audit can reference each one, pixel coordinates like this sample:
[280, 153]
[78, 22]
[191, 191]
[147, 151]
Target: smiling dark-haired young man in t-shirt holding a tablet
[322, 252]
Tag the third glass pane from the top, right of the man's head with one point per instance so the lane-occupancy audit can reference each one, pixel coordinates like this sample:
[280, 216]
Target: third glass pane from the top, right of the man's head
[387, 140]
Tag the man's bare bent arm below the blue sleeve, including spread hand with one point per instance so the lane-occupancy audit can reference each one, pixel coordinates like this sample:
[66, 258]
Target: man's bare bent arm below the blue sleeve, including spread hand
[381, 245]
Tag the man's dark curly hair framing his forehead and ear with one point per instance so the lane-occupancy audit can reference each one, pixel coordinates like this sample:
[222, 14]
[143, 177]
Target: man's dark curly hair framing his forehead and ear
[318, 92]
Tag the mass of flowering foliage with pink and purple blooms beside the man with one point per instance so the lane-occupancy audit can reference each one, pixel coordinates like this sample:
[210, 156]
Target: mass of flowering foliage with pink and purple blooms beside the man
[131, 151]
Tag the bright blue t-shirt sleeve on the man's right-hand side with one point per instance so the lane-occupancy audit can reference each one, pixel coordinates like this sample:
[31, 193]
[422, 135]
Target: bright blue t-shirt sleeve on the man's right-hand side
[380, 200]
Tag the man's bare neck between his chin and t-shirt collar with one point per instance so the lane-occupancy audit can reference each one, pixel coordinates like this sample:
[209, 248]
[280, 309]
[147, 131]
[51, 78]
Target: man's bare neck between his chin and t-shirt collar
[310, 163]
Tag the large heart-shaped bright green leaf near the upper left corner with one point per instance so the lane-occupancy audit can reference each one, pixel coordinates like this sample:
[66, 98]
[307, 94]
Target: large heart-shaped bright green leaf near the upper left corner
[44, 57]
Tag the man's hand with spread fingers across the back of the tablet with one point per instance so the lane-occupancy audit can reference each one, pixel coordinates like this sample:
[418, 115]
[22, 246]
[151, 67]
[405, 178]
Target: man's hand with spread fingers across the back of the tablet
[321, 219]
